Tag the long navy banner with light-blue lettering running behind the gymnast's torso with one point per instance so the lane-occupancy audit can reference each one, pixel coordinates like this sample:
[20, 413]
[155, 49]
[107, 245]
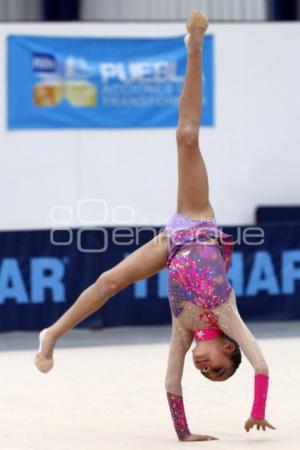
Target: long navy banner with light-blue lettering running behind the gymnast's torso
[42, 274]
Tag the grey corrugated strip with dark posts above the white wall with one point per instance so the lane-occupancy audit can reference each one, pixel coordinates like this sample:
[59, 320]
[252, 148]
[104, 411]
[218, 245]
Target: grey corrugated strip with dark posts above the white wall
[149, 10]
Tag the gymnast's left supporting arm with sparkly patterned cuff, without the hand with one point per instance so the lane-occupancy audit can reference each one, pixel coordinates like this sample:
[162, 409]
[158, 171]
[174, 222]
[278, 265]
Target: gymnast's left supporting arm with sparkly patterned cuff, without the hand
[181, 340]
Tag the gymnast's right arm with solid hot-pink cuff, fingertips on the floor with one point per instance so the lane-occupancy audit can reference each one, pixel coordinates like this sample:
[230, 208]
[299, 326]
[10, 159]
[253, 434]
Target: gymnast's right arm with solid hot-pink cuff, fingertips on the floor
[231, 323]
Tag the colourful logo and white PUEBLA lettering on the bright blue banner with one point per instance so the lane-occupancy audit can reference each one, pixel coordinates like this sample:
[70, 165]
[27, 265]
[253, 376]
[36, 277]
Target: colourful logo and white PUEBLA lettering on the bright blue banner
[71, 81]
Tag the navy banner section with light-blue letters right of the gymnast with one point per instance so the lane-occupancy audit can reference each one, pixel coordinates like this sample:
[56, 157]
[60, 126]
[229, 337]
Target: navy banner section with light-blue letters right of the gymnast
[266, 277]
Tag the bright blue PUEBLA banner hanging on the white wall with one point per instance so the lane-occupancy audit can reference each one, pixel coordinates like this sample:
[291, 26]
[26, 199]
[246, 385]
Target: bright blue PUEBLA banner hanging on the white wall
[57, 82]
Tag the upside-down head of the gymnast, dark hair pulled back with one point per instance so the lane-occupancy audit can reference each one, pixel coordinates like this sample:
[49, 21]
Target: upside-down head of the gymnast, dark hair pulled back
[217, 359]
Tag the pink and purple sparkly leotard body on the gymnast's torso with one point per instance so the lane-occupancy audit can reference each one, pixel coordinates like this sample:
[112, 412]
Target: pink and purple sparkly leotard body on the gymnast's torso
[197, 270]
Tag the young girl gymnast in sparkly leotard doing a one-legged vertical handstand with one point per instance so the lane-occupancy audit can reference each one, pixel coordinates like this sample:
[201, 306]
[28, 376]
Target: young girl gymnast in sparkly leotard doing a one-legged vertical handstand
[197, 254]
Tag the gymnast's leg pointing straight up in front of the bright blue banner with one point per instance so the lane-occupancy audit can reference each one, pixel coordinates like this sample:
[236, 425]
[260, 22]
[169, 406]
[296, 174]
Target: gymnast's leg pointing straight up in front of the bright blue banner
[192, 198]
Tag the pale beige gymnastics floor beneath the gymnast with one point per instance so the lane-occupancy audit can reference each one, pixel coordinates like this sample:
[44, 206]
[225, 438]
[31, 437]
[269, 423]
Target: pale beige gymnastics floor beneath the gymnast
[107, 392]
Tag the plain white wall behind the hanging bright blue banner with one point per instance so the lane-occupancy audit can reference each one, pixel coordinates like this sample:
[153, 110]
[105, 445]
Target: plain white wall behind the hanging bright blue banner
[252, 153]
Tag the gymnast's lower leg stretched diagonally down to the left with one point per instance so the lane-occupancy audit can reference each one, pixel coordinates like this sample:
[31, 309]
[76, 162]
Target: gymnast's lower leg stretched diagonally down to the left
[143, 263]
